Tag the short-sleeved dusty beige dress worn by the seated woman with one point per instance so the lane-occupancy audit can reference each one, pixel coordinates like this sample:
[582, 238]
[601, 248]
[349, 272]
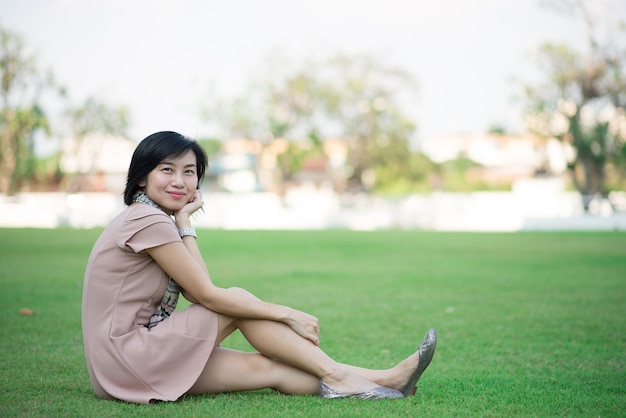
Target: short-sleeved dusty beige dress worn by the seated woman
[123, 288]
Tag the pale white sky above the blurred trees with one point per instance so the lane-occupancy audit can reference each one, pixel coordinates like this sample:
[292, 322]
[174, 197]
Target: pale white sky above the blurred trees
[162, 59]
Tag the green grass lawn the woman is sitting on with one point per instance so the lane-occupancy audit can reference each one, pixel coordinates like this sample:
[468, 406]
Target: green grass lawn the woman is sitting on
[530, 324]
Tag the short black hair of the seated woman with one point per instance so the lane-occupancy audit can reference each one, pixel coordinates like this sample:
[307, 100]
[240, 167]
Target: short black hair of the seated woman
[155, 148]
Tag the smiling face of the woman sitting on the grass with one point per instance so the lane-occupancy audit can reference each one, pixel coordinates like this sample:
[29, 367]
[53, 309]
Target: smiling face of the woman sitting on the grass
[172, 182]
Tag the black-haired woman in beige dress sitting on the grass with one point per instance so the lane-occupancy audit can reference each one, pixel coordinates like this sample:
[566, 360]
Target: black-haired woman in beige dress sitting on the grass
[139, 349]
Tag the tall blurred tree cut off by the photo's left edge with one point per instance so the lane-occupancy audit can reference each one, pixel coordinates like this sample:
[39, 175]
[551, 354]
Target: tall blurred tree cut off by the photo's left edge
[21, 113]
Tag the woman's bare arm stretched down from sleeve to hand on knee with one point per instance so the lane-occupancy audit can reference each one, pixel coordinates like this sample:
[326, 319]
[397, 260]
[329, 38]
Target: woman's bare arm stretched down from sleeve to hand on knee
[176, 260]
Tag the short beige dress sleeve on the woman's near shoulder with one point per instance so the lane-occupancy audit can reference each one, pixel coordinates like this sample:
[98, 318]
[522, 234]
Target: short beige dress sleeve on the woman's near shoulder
[148, 228]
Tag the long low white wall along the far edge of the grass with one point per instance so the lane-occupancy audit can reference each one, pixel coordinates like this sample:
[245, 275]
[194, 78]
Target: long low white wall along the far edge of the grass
[528, 207]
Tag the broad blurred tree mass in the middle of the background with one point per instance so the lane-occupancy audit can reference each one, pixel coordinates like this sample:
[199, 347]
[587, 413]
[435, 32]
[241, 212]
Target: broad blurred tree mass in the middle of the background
[353, 98]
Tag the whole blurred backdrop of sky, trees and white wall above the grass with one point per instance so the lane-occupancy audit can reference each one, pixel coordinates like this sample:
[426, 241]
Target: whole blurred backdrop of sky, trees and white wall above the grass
[452, 115]
